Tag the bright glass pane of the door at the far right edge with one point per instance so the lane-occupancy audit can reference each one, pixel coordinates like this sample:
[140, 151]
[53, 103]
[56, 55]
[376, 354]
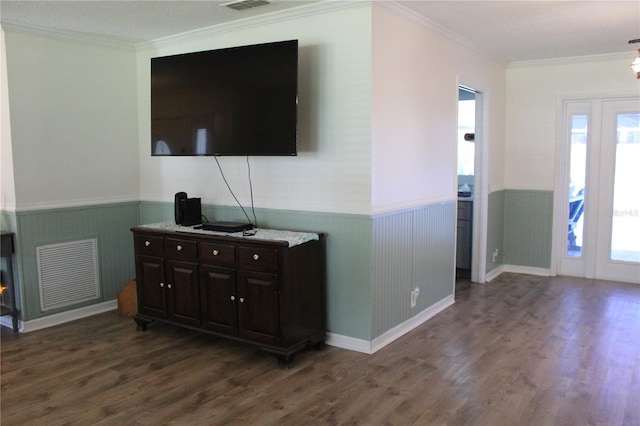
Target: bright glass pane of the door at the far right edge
[625, 224]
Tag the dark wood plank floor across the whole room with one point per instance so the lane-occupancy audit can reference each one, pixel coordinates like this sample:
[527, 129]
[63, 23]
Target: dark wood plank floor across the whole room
[521, 350]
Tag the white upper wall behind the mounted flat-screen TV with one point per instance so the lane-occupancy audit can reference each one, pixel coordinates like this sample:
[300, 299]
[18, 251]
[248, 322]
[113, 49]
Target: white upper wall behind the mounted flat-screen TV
[332, 172]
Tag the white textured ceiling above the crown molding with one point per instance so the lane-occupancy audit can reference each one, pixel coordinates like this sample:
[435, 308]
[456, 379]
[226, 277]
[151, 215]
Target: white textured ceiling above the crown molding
[506, 30]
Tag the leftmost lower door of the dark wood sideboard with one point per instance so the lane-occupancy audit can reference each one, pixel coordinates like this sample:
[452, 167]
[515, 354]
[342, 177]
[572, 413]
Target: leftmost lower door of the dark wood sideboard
[150, 286]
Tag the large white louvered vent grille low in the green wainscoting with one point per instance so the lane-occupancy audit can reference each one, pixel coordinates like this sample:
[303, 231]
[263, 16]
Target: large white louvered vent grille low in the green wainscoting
[68, 273]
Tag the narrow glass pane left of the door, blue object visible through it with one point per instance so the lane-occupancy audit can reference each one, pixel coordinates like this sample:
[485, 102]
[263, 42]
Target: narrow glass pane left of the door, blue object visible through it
[577, 179]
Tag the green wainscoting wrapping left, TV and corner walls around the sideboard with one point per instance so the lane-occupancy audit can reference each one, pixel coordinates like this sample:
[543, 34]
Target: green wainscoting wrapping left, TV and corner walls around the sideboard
[373, 262]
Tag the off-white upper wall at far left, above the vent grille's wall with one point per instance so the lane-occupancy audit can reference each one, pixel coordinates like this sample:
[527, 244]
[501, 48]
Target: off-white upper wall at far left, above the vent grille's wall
[73, 121]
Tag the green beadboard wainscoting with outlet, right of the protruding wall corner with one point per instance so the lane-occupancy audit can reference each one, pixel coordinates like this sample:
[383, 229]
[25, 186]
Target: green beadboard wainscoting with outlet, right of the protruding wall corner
[414, 248]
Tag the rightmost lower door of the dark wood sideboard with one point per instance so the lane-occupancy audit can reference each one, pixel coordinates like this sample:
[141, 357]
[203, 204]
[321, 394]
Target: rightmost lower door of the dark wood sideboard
[258, 313]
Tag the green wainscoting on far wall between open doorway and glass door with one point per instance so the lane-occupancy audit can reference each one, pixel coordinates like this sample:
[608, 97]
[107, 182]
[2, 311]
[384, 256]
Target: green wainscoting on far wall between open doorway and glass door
[528, 228]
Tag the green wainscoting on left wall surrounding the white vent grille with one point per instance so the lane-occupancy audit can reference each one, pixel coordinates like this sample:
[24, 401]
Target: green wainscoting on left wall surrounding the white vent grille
[109, 224]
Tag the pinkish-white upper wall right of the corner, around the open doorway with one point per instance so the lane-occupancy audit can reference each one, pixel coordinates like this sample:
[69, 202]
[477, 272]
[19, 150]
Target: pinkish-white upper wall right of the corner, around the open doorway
[416, 73]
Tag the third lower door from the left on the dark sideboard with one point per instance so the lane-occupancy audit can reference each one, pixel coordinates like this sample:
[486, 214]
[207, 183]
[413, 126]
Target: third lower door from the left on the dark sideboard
[219, 299]
